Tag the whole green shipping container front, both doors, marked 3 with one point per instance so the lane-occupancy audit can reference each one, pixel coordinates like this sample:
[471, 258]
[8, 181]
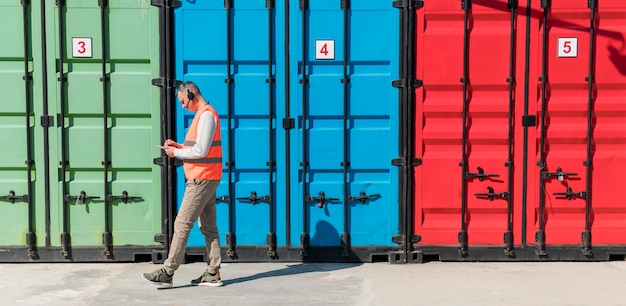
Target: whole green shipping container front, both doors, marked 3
[79, 124]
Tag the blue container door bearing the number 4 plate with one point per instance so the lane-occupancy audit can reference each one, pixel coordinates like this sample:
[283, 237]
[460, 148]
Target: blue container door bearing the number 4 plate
[344, 189]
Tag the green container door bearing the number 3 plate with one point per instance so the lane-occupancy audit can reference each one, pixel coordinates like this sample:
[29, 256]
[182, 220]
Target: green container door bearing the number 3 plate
[101, 61]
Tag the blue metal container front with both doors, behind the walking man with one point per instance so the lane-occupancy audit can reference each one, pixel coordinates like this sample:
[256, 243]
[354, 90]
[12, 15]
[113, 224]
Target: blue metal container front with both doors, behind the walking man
[329, 123]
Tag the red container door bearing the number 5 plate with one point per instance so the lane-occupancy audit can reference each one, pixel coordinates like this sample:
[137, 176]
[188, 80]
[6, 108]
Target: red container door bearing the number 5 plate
[580, 138]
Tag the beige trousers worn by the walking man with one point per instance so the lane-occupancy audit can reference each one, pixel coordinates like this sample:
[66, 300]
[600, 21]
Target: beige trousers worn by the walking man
[198, 204]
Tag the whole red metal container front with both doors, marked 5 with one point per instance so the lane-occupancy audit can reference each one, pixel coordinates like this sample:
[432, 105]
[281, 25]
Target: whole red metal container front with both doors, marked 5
[500, 81]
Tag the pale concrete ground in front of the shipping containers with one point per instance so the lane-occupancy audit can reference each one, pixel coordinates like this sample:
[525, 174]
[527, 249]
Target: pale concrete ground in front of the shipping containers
[432, 283]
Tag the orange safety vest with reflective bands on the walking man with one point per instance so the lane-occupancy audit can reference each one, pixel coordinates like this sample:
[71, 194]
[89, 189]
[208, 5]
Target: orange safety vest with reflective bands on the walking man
[208, 167]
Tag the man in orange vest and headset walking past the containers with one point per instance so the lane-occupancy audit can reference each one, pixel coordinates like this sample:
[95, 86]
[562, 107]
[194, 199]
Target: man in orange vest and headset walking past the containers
[201, 153]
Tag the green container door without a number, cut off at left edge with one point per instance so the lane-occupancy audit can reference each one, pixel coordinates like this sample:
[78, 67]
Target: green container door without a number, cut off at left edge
[17, 189]
